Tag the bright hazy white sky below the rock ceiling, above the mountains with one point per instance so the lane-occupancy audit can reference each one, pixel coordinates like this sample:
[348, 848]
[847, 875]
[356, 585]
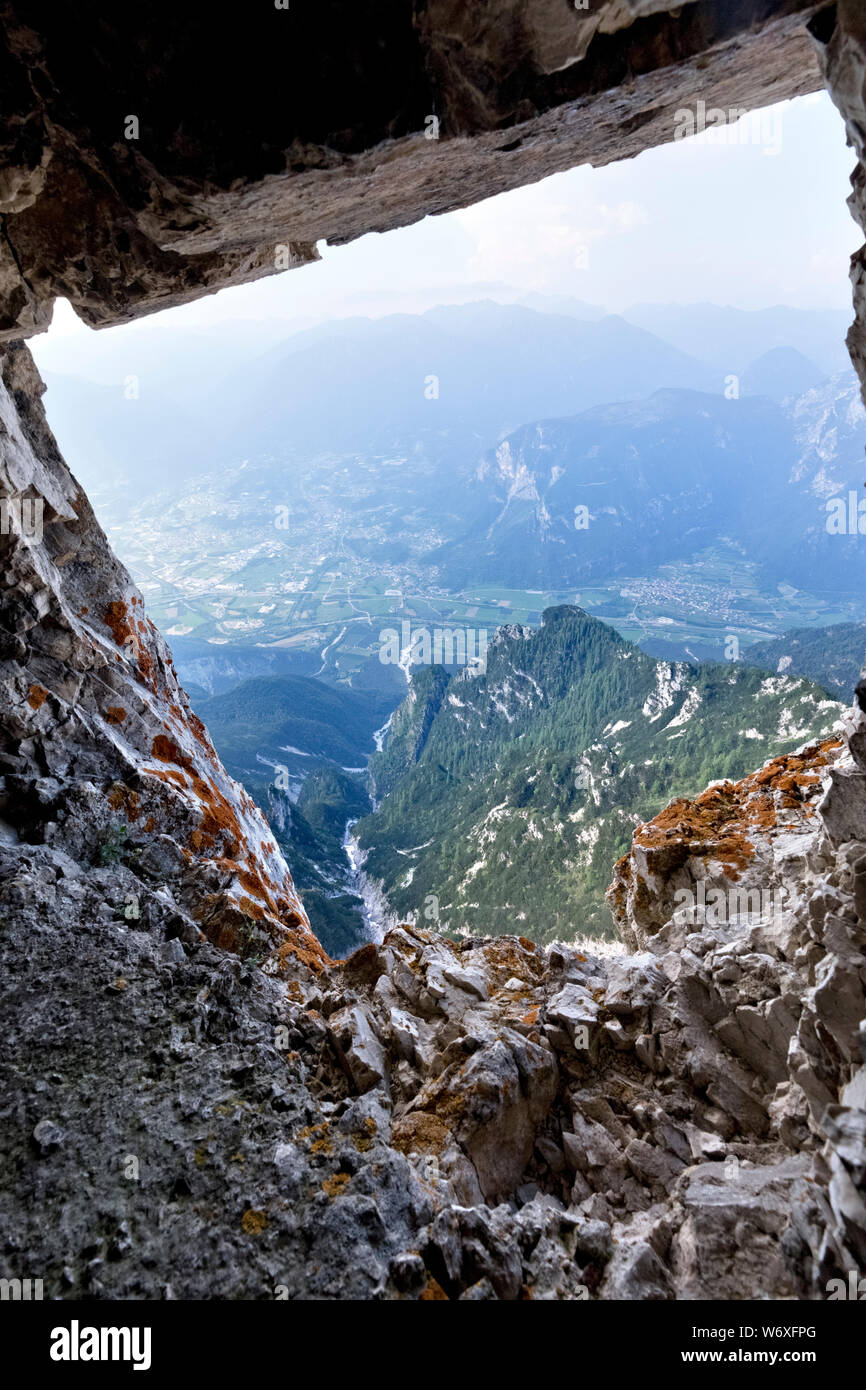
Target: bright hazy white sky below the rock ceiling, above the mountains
[755, 218]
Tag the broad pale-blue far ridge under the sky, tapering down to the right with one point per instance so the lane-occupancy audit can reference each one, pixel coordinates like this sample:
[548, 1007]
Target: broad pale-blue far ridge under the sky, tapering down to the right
[447, 383]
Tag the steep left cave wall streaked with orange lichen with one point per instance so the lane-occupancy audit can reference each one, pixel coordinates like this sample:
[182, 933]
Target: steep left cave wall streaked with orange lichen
[101, 755]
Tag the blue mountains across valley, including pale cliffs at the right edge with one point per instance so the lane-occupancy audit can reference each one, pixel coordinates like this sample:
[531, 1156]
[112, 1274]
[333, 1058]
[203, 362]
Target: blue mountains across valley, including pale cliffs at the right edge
[625, 489]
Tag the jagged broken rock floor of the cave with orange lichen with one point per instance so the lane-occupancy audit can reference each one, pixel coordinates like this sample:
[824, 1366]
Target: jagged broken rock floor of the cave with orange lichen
[475, 1121]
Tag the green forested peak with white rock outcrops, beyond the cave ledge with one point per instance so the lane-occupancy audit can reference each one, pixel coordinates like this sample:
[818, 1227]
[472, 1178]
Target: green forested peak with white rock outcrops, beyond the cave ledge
[511, 794]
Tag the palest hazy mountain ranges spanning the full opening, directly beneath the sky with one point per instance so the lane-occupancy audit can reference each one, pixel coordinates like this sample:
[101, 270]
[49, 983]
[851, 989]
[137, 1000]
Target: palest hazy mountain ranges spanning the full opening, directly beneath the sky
[452, 382]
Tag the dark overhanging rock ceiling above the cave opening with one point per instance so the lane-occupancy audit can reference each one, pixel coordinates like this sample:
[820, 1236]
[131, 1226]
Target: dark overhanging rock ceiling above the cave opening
[148, 159]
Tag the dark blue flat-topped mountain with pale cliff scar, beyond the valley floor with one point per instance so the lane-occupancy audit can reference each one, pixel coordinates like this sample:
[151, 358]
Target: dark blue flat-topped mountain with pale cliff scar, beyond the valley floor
[657, 480]
